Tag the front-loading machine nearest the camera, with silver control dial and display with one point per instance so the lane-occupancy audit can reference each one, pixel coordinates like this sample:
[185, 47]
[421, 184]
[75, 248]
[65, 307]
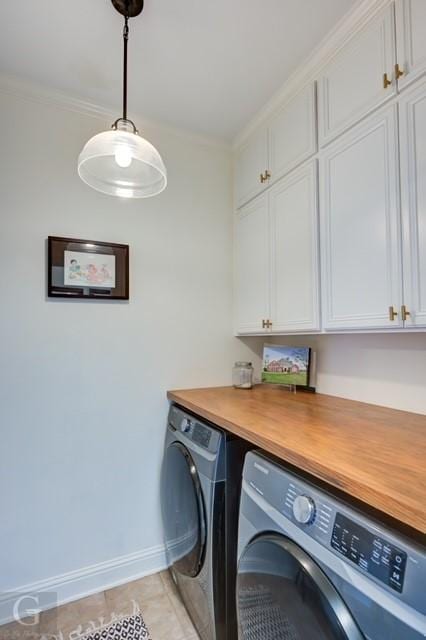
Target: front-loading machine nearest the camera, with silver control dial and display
[311, 567]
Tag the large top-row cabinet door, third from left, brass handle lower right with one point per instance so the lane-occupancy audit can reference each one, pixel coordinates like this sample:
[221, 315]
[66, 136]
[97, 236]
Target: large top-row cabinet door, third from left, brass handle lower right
[352, 83]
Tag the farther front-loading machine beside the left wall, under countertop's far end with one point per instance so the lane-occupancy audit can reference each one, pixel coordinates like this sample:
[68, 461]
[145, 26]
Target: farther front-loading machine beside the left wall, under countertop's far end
[200, 491]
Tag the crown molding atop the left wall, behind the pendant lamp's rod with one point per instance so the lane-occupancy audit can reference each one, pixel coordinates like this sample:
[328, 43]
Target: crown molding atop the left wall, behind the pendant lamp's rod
[28, 90]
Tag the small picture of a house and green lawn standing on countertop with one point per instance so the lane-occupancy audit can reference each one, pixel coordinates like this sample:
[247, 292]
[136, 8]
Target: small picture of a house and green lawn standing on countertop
[286, 365]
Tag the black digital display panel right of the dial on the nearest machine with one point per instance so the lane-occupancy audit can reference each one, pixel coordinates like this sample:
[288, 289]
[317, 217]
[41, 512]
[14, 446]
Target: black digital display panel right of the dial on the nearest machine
[371, 553]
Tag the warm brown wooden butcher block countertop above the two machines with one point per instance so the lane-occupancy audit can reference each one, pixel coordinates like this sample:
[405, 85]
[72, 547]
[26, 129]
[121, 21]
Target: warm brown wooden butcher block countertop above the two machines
[374, 454]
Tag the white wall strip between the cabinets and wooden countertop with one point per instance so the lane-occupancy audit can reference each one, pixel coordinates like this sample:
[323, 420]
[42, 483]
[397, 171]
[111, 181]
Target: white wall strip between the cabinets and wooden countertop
[384, 369]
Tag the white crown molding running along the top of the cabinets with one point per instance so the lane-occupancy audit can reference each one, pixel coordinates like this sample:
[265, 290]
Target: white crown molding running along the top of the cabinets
[310, 68]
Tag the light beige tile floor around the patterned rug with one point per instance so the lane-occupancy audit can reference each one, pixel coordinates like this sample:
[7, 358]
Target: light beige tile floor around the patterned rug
[156, 595]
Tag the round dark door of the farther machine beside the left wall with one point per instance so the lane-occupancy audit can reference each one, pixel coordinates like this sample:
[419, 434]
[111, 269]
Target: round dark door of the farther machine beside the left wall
[183, 511]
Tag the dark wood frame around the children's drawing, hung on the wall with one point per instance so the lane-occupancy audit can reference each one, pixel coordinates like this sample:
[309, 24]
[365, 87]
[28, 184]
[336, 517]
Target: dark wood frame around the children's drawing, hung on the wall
[56, 286]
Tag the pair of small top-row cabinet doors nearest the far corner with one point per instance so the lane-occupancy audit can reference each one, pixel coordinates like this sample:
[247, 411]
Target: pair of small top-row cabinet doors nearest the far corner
[285, 141]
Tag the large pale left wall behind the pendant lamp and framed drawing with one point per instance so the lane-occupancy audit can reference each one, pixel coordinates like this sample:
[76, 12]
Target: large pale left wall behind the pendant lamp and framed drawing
[83, 384]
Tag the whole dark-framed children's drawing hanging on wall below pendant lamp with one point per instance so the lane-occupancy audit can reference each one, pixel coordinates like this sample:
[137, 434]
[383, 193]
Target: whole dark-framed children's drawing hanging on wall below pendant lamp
[87, 269]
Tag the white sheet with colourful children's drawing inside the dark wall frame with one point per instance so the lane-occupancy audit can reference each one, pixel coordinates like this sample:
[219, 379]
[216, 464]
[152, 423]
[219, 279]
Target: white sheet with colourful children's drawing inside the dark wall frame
[89, 269]
